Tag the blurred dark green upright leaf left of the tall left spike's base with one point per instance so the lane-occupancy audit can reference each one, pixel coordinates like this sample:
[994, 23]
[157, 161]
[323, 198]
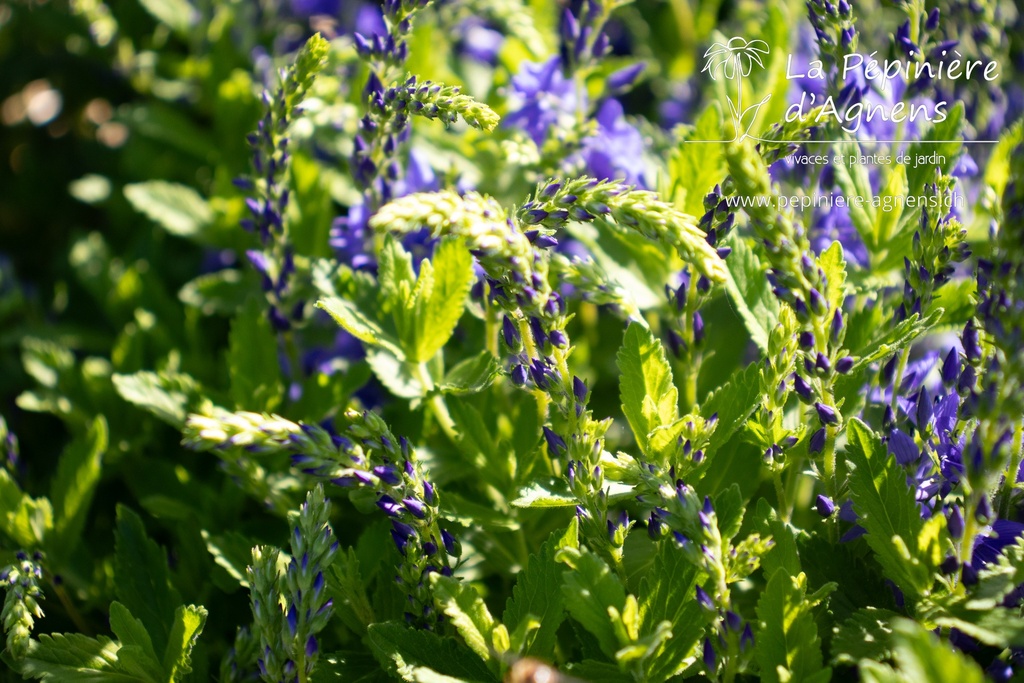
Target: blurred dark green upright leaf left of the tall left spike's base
[253, 362]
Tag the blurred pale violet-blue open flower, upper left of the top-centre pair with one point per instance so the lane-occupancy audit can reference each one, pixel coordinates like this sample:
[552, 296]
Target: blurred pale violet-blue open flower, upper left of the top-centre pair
[541, 98]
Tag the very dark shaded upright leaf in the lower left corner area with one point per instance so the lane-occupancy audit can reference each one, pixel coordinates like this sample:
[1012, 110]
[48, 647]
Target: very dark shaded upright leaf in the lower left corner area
[142, 580]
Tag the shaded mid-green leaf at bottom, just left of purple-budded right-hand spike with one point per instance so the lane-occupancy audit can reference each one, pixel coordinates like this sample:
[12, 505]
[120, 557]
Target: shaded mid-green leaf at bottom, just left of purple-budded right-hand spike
[667, 595]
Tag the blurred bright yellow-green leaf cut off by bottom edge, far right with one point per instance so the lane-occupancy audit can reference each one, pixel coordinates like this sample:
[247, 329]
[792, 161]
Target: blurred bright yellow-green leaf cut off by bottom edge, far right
[921, 656]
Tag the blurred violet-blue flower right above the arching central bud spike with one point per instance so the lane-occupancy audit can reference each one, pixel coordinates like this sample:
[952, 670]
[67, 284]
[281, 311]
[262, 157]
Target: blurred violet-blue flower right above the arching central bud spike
[616, 153]
